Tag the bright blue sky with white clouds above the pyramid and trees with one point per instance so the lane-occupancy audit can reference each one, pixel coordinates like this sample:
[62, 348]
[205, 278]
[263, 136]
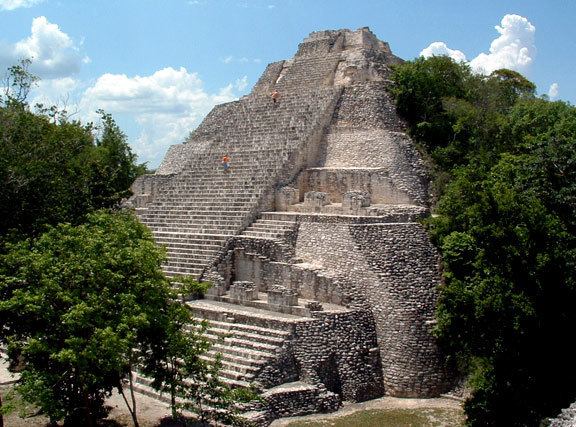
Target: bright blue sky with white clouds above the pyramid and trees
[160, 66]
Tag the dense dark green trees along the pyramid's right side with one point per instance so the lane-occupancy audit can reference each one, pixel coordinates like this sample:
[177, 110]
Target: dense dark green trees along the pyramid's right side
[505, 163]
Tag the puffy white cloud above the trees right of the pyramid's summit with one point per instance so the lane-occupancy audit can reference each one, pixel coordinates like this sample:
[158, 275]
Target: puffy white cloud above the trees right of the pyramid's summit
[513, 49]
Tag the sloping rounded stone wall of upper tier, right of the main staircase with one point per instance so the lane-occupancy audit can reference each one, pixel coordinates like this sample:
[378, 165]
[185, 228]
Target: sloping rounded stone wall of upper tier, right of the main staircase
[366, 132]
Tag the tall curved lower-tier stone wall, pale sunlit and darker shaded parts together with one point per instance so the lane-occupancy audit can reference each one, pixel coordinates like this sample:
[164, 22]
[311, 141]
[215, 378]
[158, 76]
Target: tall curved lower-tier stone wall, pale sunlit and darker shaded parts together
[393, 270]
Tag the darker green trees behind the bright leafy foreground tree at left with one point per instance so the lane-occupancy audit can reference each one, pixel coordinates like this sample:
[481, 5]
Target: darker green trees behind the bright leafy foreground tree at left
[53, 170]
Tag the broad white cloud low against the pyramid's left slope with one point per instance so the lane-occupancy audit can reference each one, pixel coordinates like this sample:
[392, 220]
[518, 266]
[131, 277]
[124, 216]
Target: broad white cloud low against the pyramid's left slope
[166, 105]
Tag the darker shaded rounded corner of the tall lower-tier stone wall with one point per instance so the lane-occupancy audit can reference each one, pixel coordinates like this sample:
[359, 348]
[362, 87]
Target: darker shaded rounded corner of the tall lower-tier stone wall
[407, 266]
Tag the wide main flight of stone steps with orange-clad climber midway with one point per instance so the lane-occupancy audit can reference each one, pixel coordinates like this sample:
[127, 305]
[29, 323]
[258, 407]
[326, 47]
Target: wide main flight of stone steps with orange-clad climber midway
[202, 206]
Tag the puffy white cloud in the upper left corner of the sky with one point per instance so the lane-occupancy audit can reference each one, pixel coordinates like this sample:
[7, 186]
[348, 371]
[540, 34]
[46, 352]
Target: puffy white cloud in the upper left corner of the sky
[53, 53]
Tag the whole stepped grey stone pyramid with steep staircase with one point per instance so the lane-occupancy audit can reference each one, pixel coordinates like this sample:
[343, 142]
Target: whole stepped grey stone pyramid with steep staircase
[324, 280]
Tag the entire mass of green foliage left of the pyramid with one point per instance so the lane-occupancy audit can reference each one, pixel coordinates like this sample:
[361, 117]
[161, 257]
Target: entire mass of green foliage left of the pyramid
[83, 299]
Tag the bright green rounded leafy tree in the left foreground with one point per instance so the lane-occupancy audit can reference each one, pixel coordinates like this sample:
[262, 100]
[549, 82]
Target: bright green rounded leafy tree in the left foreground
[81, 306]
